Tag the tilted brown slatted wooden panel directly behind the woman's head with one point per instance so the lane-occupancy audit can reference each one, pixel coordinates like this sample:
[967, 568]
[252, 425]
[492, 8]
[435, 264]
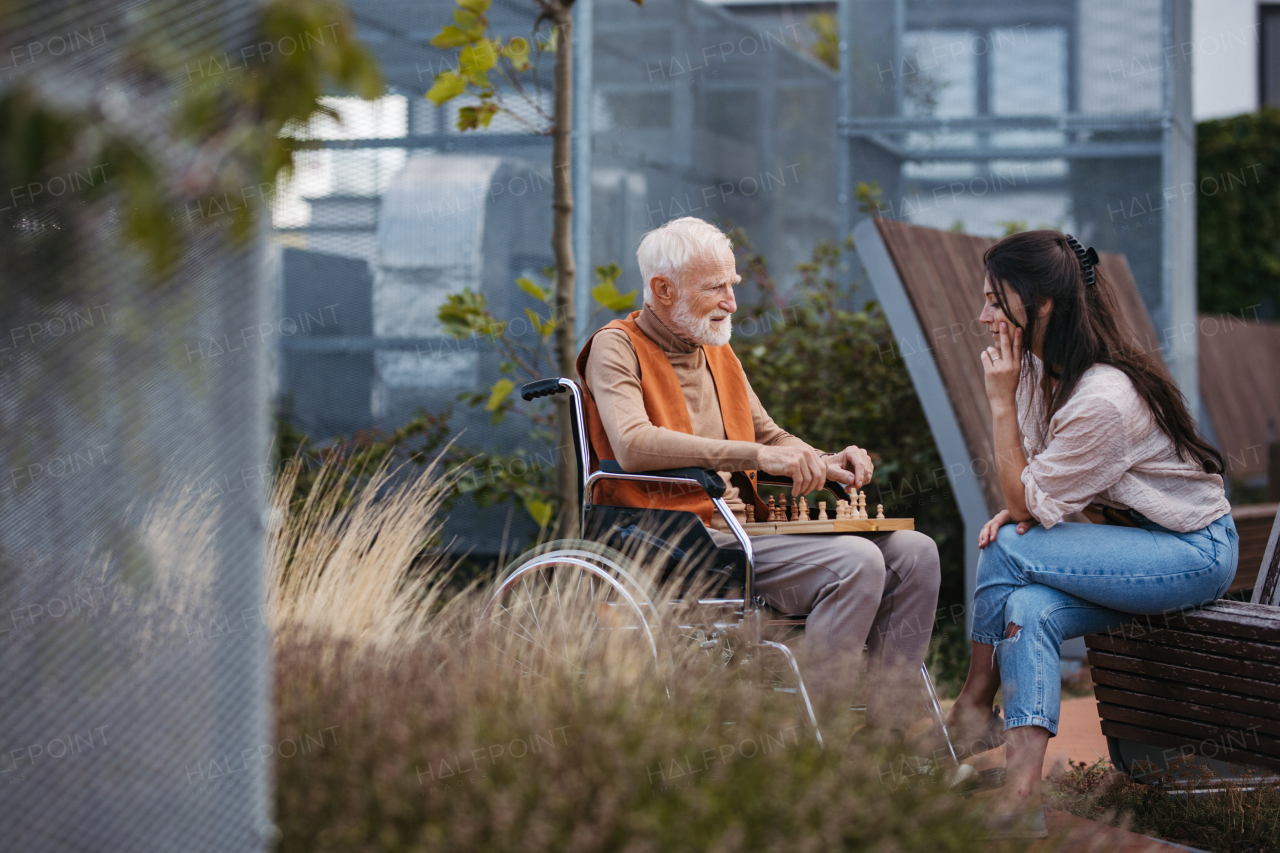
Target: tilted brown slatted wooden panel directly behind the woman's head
[943, 275]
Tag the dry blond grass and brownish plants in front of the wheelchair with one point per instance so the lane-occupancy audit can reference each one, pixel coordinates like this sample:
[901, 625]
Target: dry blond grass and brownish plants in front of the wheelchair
[557, 735]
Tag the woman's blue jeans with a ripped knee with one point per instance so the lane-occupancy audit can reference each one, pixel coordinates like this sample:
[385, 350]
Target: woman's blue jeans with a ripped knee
[1078, 580]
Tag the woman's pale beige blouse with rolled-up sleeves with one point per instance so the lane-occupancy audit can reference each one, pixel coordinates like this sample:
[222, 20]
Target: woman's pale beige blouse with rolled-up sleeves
[1104, 448]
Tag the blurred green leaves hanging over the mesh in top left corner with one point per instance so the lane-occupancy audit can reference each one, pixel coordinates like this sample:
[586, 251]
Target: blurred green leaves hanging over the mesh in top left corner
[135, 161]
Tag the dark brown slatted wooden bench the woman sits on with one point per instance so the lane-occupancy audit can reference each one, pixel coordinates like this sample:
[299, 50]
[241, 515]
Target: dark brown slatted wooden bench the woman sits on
[1201, 686]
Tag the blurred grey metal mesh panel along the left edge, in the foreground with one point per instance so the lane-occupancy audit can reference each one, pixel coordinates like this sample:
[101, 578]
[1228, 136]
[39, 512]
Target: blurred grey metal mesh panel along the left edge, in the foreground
[132, 644]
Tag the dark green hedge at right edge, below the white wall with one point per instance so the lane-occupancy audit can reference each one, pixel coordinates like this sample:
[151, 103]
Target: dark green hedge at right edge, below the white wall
[1238, 213]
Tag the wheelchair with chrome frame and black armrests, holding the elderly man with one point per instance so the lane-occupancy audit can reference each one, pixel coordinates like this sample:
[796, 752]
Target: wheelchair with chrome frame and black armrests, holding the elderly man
[623, 597]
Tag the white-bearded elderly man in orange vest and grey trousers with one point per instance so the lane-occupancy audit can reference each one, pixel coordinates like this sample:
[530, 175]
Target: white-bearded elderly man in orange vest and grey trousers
[664, 390]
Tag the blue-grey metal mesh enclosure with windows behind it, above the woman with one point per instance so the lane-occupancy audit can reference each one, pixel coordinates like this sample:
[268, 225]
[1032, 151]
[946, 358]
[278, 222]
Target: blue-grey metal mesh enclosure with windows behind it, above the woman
[1075, 116]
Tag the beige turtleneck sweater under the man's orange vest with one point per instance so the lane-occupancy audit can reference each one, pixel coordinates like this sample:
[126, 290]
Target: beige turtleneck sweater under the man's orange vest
[614, 380]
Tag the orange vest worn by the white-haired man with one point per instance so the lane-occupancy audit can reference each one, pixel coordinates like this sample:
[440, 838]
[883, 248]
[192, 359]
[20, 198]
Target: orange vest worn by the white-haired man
[665, 404]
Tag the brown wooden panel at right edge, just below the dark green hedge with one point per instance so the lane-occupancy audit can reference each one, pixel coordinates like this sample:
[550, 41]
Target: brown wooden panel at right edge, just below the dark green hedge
[1238, 363]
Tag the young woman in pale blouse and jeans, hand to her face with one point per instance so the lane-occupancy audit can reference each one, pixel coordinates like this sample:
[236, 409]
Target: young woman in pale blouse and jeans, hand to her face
[1084, 422]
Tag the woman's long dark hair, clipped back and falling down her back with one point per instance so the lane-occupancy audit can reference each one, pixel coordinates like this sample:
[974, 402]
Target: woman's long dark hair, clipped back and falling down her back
[1084, 330]
